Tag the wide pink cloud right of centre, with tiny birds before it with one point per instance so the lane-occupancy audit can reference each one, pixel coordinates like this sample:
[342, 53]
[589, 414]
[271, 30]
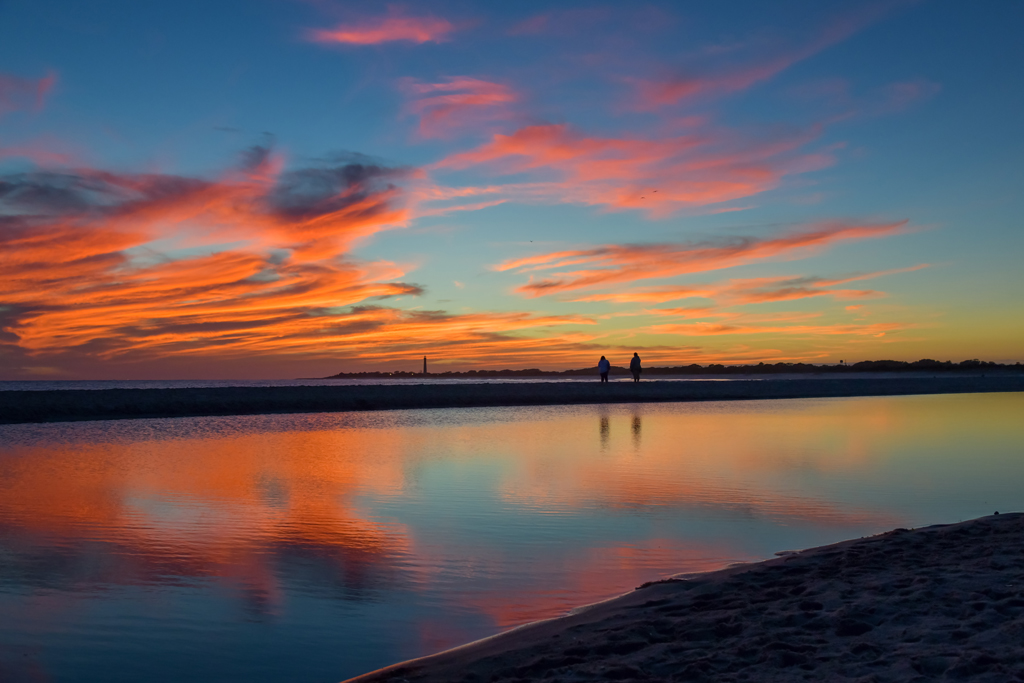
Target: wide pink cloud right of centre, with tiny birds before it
[656, 176]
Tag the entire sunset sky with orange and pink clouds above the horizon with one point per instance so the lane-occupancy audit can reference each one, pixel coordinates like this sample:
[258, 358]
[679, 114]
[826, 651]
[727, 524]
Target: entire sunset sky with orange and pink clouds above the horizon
[277, 189]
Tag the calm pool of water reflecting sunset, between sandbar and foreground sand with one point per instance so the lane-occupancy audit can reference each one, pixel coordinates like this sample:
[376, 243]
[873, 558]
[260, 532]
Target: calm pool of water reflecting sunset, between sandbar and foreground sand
[317, 547]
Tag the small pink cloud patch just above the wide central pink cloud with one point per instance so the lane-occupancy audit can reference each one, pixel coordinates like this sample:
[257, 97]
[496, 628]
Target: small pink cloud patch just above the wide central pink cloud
[457, 104]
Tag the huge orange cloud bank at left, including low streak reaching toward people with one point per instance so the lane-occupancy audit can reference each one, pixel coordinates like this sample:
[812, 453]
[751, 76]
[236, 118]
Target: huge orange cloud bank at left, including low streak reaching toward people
[96, 266]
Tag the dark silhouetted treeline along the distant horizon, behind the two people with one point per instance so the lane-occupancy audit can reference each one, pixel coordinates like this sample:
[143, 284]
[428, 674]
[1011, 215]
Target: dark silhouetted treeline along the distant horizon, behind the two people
[925, 365]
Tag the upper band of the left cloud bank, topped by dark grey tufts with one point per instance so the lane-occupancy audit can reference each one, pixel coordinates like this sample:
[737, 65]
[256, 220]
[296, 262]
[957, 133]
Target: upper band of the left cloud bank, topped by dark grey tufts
[317, 211]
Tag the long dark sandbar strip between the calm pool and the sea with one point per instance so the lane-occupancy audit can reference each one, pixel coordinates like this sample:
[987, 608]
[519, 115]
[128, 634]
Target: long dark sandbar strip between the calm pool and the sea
[81, 405]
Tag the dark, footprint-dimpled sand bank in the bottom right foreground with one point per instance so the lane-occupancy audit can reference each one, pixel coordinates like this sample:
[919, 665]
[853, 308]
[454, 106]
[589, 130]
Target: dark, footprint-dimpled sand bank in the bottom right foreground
[937, 604]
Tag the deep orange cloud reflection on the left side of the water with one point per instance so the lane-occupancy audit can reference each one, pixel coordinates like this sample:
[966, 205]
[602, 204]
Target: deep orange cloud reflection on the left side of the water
[229, 507]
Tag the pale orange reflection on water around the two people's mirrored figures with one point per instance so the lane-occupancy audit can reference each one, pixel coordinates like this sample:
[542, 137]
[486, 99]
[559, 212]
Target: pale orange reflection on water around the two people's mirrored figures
[692, 460]
